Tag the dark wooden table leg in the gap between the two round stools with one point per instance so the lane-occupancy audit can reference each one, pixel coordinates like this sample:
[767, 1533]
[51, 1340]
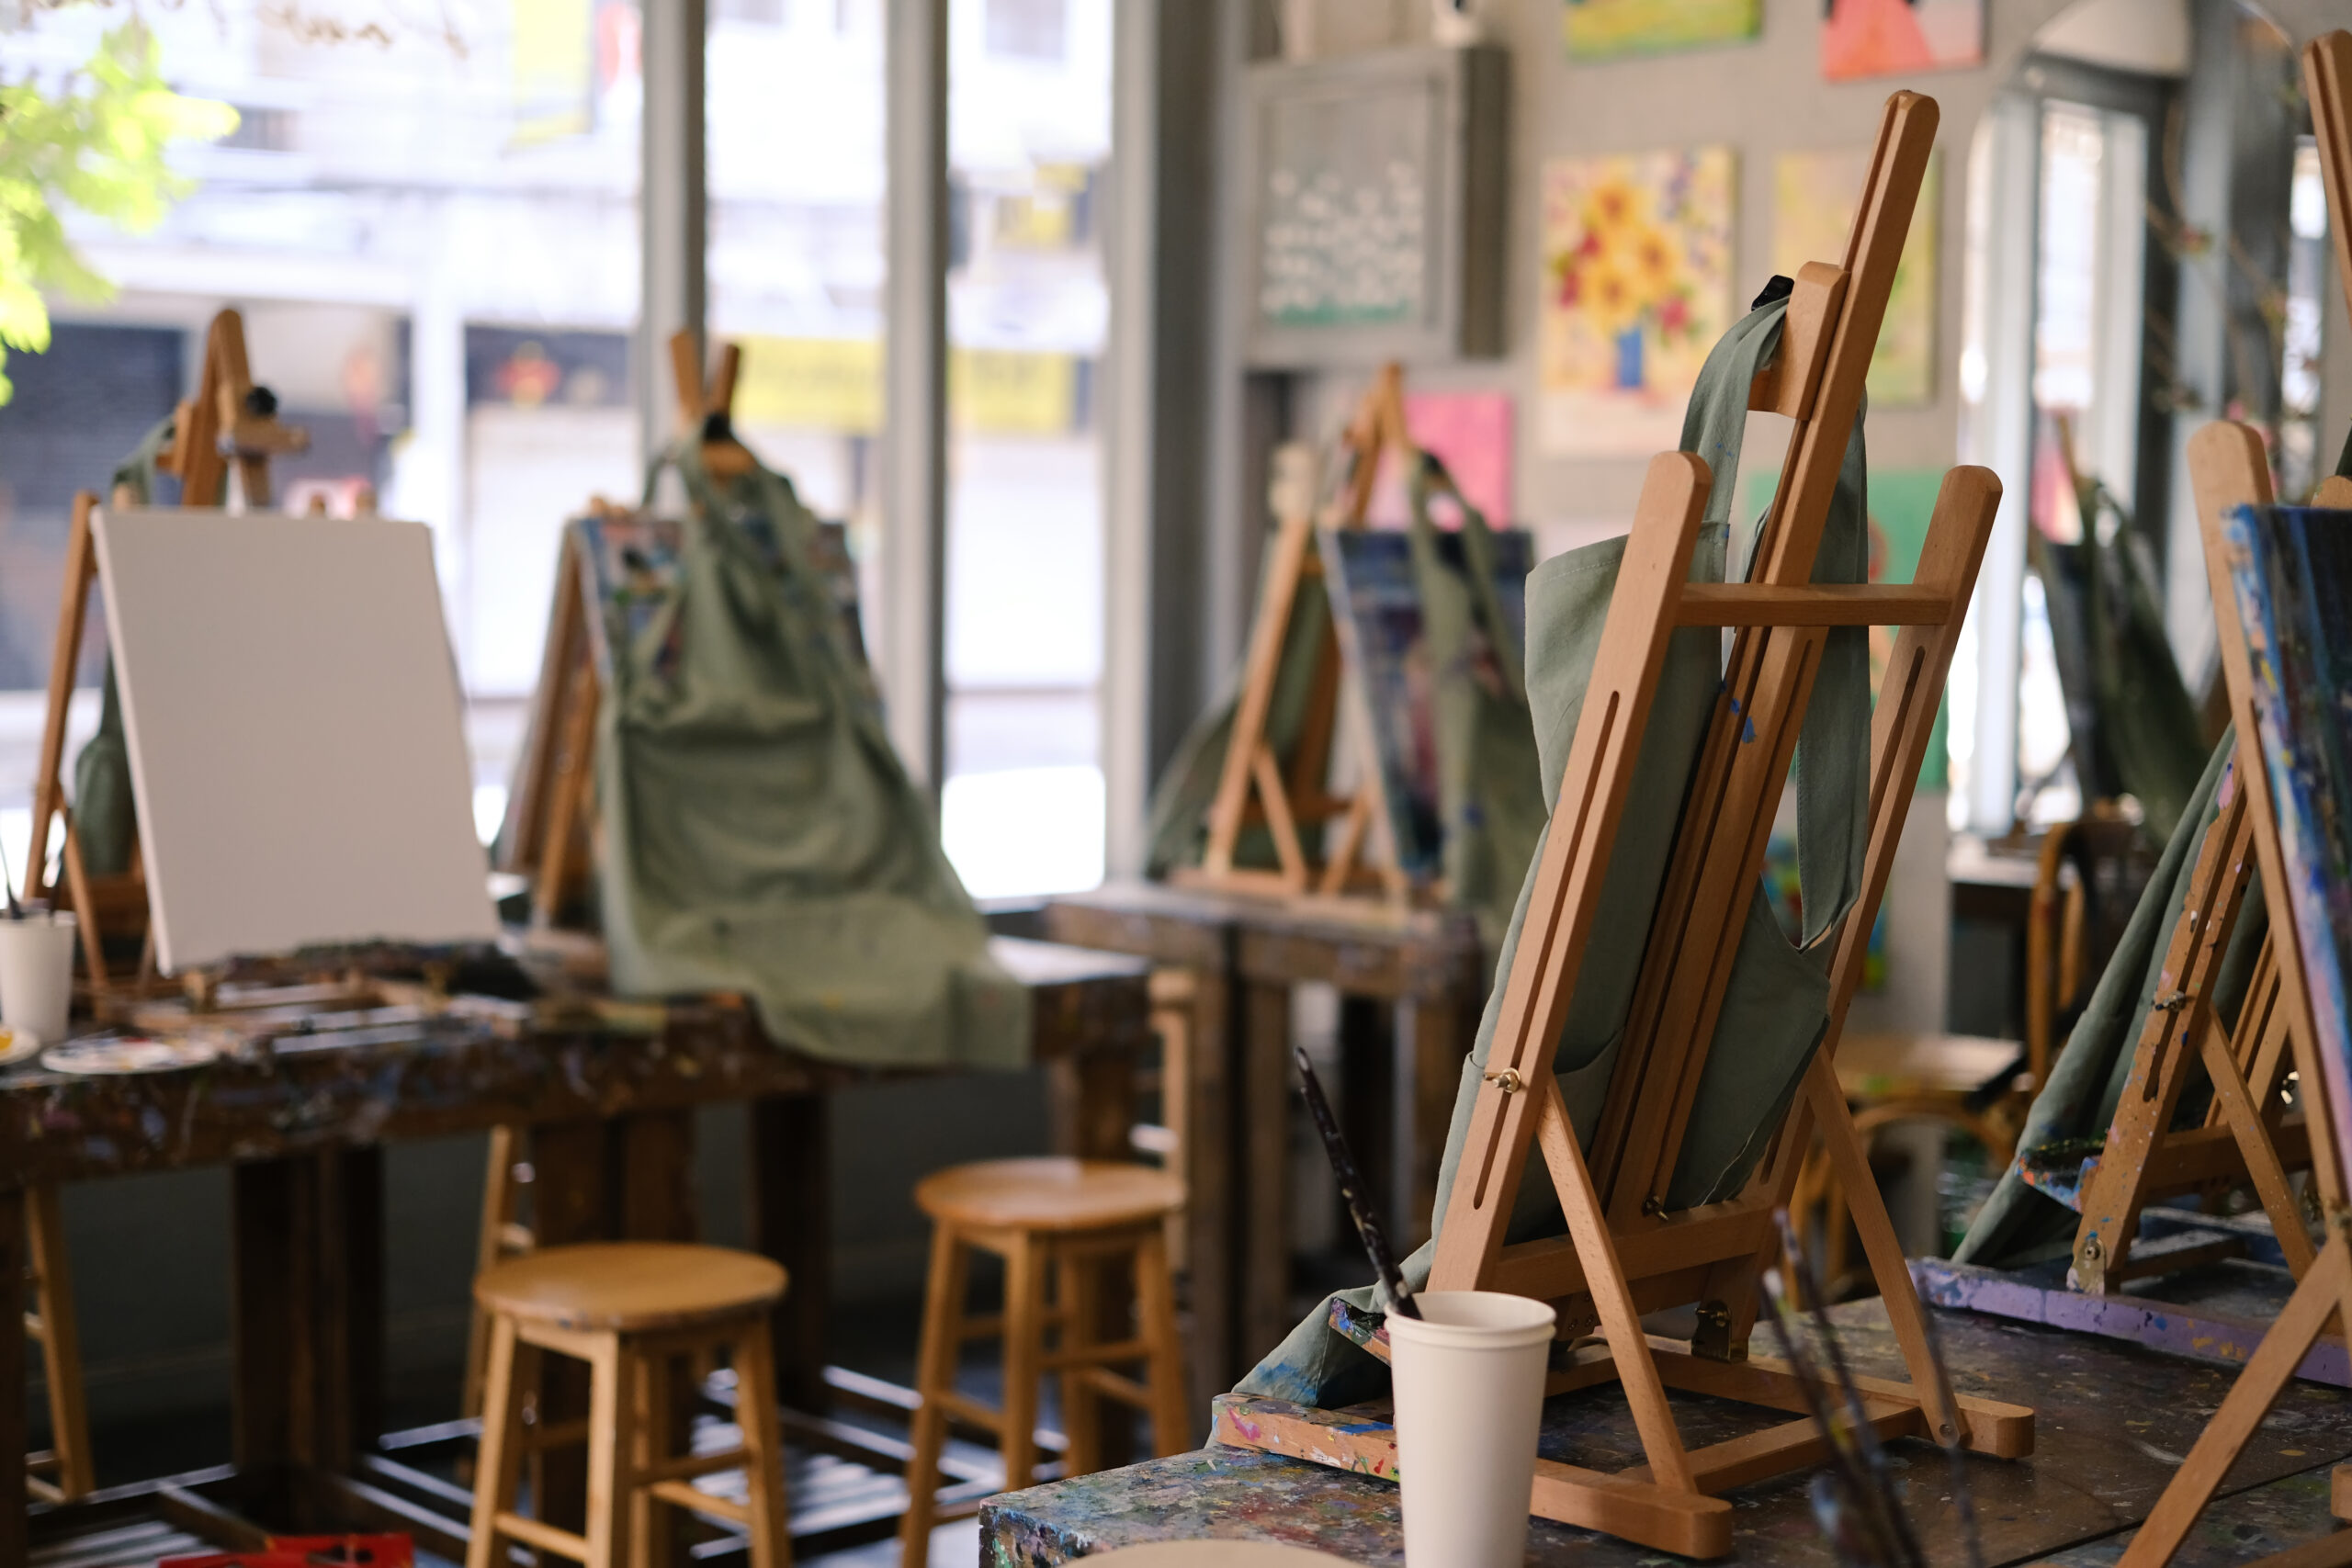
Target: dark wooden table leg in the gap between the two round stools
[791, 1221]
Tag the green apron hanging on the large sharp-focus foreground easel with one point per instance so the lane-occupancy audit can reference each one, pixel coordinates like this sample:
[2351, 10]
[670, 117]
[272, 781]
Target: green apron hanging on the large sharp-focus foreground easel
[1777, 1000]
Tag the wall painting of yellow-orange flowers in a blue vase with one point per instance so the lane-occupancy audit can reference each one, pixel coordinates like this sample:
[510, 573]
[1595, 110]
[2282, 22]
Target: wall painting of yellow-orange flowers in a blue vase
[1636, 290]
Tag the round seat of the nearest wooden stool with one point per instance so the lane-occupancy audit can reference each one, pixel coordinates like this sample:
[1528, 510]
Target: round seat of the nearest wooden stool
[629, 1287]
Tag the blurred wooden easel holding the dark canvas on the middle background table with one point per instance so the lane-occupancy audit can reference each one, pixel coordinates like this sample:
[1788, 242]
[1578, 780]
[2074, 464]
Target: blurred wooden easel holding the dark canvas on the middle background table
[1252, 784]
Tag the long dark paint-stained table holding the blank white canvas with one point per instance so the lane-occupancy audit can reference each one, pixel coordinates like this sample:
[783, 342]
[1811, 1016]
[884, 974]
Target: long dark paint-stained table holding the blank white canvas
[302, 1125]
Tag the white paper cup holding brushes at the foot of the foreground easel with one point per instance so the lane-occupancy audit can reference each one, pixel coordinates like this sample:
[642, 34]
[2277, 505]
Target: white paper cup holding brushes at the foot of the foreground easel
[1469, 1383]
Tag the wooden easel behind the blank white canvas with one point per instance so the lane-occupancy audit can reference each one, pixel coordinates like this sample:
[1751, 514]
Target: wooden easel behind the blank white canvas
[232, 424]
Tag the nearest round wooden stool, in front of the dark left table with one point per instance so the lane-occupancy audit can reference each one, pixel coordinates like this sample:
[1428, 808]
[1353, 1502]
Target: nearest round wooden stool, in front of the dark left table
[629, 1311]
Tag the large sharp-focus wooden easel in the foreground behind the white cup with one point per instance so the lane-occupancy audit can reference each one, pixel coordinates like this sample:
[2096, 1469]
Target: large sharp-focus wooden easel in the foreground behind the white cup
[1624, 1254]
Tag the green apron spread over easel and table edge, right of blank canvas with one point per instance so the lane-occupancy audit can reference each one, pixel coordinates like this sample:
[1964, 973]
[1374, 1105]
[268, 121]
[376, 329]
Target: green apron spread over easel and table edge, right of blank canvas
[761, 833]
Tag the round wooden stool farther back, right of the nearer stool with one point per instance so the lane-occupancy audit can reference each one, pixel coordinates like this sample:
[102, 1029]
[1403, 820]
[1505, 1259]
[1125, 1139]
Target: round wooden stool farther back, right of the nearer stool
[1062, 1219]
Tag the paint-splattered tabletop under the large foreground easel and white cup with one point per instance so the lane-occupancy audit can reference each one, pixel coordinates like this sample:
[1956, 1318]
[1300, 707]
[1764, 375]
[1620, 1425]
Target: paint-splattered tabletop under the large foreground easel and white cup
[2113, 1423]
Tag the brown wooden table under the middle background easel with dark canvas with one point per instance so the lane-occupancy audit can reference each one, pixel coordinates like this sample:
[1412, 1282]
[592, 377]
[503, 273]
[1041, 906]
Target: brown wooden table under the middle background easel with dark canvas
[1248, 956]
